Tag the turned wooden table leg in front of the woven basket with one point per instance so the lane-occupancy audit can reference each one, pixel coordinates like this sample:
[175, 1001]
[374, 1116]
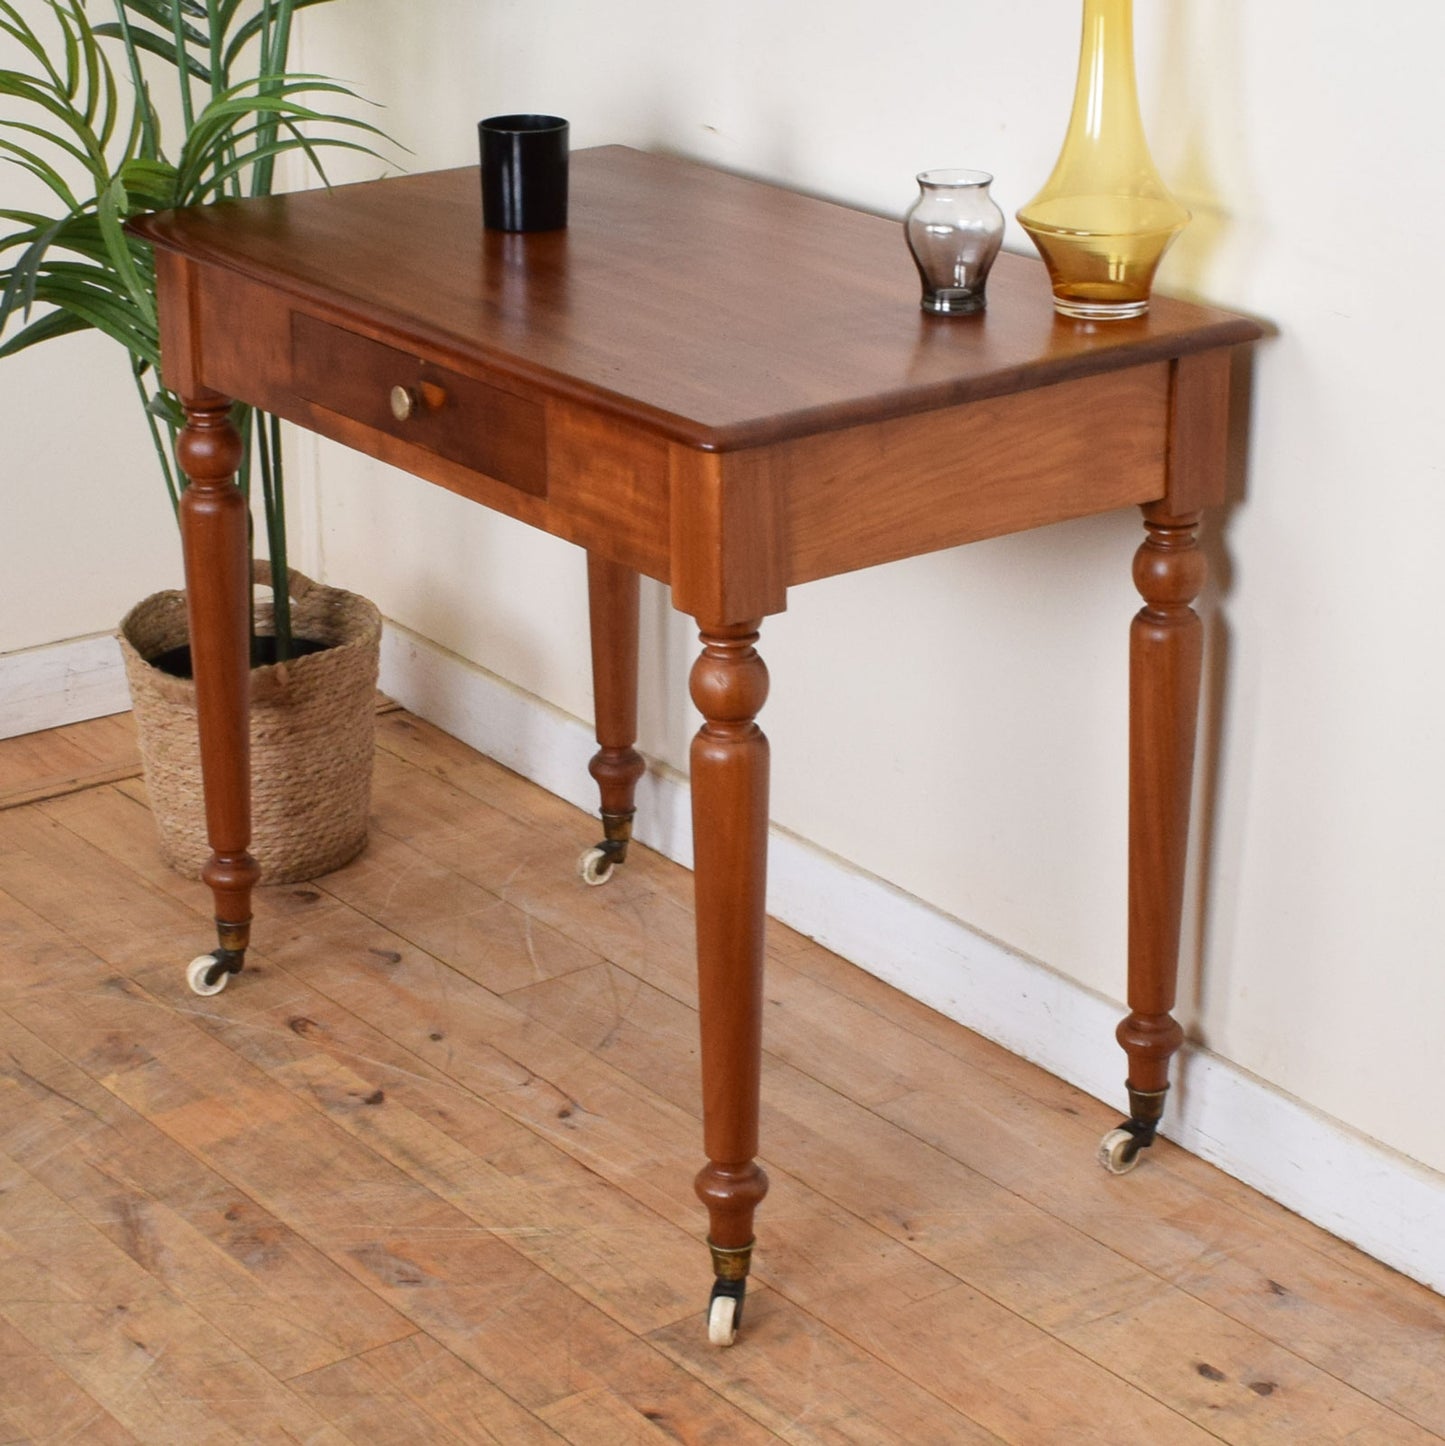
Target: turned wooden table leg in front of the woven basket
[218, 586]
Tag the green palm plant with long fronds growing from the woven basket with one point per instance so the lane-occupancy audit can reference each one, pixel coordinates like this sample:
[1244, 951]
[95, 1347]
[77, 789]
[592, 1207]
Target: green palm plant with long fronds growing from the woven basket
[85, 116]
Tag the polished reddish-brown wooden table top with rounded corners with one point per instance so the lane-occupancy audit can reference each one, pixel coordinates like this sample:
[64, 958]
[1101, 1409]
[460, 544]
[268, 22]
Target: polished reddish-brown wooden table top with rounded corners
[705, 307]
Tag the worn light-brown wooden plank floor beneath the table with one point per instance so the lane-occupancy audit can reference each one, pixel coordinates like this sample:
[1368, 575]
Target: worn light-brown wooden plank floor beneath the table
[423, 1173]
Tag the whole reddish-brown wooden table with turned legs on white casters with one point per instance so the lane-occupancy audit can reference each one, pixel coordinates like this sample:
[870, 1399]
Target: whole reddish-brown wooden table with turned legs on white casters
[730, 388]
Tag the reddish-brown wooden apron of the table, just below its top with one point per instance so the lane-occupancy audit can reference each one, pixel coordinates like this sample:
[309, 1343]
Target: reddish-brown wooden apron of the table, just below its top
[731, 531]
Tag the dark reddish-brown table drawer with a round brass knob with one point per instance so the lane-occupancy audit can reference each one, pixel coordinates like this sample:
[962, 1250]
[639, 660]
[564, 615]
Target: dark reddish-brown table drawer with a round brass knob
[416, 401]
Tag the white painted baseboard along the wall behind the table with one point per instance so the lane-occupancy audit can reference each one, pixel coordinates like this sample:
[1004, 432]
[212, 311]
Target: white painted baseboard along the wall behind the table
[1355, 1188]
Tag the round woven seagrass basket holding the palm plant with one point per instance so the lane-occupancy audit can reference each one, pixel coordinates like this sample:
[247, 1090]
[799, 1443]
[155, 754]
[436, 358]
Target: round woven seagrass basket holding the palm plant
[312, 734]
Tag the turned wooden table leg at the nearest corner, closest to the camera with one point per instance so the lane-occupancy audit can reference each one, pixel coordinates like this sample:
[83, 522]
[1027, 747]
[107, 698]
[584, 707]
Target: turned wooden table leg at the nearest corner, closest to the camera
[730, 763]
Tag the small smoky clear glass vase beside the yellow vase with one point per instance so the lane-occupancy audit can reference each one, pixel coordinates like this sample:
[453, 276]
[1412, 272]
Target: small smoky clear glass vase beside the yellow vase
[954, 229]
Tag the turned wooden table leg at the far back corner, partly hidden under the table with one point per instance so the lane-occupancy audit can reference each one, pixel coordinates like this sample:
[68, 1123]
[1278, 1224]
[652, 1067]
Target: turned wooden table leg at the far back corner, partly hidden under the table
[613, 596]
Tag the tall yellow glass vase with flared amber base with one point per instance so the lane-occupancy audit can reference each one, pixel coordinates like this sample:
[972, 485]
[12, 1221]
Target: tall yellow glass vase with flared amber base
[1106, 218]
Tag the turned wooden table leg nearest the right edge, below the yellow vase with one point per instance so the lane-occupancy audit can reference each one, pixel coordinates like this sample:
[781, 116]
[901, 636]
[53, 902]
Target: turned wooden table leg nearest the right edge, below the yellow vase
[1167, 653]
